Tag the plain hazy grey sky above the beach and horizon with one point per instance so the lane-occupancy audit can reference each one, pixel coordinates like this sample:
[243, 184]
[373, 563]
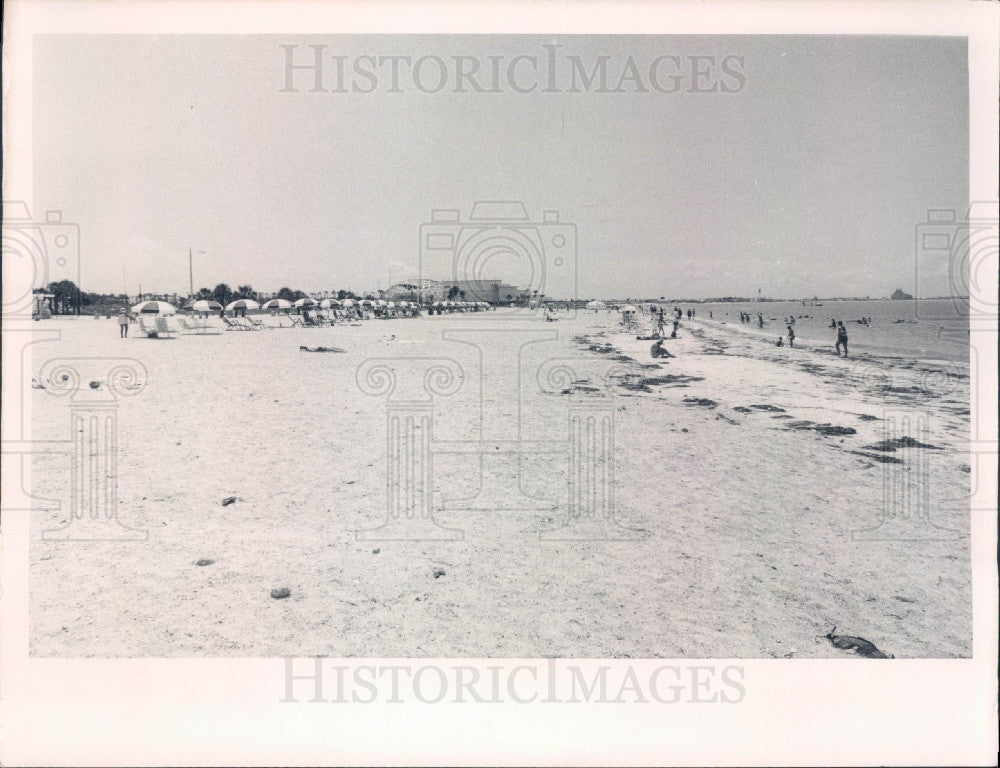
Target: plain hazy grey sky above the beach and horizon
[806, 169]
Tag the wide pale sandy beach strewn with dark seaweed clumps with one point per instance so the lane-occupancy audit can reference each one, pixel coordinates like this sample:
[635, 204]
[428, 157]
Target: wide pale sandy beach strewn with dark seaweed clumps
[744, 474]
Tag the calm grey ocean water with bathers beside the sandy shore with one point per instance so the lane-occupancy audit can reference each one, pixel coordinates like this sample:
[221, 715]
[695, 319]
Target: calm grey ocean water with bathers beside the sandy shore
[925, 330]
